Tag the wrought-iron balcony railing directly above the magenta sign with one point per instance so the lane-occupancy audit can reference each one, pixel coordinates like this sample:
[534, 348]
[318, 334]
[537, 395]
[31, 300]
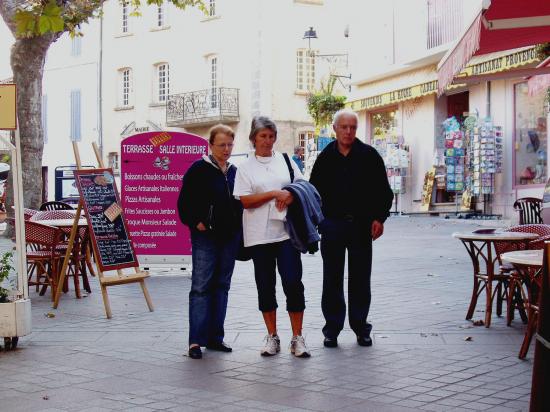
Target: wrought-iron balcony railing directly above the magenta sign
[203, 107]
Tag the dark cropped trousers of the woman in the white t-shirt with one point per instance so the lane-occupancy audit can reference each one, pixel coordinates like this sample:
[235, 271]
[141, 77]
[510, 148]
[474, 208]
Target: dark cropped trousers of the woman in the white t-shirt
[287, 259]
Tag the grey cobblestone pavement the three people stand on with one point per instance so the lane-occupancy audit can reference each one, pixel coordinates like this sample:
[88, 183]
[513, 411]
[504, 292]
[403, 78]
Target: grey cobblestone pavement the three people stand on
[420, 360]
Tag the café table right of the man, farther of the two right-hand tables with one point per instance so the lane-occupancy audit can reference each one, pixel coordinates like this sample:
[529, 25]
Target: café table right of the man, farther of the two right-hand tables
[480, 245]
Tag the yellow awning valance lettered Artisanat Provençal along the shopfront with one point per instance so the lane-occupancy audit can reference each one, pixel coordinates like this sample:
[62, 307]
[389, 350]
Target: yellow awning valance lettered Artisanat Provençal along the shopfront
[495, 65]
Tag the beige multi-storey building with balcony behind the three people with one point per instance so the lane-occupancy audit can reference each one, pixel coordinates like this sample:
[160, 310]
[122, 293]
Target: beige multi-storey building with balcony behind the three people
[186, 71]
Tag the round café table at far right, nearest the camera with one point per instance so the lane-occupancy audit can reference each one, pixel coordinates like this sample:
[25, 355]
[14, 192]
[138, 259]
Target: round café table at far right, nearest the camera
[528, 264]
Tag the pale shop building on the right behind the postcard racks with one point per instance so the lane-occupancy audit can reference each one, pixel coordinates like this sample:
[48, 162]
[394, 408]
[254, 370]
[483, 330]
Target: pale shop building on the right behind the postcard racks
[397, 103]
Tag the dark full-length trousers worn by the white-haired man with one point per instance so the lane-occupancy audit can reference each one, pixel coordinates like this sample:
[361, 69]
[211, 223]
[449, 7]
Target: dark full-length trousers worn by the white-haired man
[337, 237]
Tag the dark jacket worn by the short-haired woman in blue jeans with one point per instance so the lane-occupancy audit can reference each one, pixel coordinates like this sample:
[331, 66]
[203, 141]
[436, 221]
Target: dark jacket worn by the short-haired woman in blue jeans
[207, 196]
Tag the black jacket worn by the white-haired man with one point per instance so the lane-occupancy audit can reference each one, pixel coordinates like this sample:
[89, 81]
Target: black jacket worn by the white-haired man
[353, 186]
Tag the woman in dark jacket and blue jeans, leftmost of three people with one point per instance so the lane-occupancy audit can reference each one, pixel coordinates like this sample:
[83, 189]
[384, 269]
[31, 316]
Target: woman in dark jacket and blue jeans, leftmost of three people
[214, 217]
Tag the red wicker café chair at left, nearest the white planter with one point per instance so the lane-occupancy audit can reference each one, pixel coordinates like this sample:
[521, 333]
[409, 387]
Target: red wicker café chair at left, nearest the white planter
[43, 255]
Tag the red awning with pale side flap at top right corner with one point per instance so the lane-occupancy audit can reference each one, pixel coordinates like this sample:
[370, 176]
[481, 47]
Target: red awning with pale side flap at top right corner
[500, 25]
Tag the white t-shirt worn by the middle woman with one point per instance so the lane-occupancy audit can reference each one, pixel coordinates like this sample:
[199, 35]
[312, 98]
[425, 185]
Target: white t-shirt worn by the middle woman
[263, 224]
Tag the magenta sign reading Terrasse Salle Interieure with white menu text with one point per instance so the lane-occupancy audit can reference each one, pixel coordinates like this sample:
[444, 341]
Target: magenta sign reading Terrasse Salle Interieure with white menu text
[152, 168]
